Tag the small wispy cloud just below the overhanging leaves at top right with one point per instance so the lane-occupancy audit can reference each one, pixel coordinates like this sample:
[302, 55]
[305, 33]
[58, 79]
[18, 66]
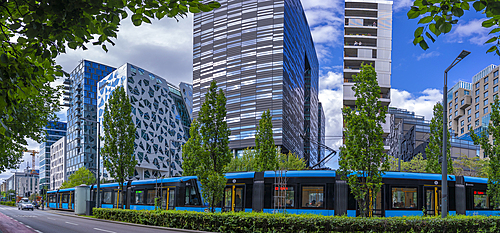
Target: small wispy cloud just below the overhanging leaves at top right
[471, 31]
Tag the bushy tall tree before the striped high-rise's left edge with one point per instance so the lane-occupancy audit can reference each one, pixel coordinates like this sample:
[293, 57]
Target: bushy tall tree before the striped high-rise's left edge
[208, 154]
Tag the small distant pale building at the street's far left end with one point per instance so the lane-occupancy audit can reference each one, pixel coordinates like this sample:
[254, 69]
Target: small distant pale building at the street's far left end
[24, 183]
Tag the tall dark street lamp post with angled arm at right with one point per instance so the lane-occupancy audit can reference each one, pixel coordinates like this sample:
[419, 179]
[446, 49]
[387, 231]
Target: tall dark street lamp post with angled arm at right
[444, 161]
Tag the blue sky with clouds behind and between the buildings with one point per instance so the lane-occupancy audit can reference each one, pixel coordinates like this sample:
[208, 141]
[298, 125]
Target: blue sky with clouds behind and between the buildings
[165, 48]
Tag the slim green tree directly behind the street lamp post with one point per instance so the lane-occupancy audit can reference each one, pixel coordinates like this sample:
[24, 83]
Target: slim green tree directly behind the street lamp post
[434, 150]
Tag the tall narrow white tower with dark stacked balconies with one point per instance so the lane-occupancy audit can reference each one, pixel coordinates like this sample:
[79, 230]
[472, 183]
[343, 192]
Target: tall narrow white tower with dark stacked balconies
[368, 40]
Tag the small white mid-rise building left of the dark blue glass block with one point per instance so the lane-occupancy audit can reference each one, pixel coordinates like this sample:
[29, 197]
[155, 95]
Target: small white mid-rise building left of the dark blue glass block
[58, 164]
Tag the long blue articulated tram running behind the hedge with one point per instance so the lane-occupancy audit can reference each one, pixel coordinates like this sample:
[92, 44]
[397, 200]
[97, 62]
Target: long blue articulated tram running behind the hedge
[309, 191]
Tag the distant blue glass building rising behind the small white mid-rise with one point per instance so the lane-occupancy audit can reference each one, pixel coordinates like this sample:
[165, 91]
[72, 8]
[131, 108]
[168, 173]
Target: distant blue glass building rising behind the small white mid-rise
[54, 131]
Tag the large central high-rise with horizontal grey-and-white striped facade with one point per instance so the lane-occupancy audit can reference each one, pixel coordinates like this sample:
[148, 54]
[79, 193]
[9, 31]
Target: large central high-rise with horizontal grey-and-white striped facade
[262, 55]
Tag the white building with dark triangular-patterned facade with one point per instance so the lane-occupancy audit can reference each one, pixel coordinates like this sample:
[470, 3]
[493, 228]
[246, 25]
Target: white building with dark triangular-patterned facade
[160, 114]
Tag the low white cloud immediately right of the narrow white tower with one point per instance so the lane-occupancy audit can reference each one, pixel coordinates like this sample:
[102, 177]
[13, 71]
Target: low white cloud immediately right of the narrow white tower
[421, 105]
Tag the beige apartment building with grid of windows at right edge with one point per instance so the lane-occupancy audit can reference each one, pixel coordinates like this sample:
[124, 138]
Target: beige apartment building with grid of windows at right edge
[469, 104]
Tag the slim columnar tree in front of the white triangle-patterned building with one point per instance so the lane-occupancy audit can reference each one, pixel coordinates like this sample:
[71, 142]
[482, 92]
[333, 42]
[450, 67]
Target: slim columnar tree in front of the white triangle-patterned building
[119, 137]
